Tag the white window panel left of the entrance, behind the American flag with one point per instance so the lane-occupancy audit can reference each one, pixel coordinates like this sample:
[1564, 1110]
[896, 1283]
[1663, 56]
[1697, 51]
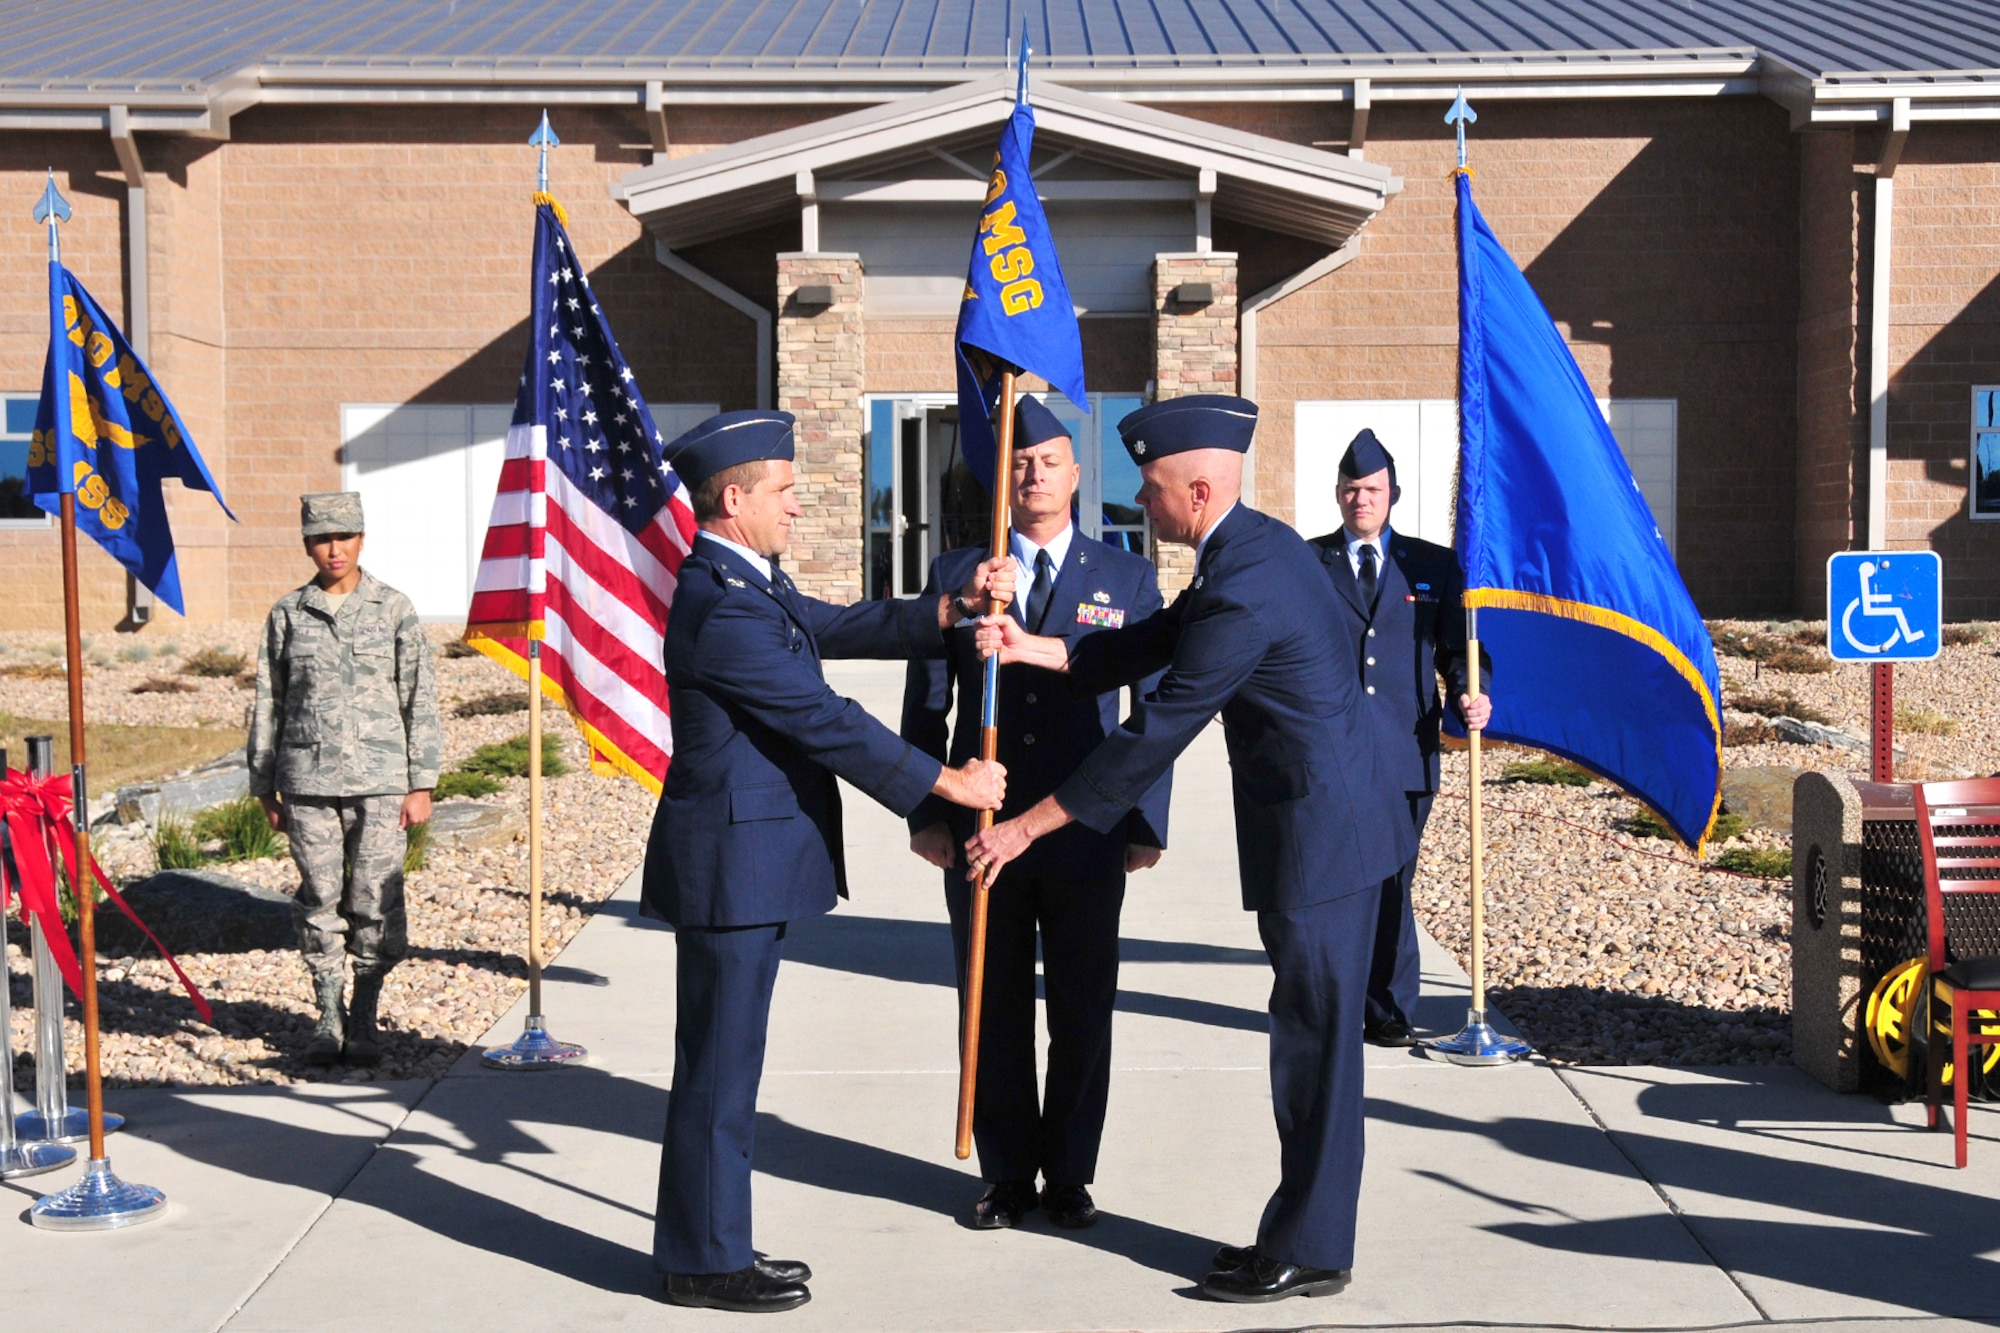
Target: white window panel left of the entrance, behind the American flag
[427, 475]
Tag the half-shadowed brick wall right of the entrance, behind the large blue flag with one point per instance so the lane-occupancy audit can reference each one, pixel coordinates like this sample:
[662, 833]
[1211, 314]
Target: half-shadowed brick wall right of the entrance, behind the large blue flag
[1665, 241]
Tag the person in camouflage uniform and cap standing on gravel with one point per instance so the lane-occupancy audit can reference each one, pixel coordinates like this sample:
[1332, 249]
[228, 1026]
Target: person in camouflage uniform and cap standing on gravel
[343, 754]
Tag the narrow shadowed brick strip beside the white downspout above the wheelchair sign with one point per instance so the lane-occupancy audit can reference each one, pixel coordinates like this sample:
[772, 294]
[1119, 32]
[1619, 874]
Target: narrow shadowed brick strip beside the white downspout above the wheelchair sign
[1831, 421]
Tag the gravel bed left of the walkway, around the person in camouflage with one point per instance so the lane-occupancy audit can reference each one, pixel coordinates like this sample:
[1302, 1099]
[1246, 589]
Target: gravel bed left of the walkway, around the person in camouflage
[469, 916]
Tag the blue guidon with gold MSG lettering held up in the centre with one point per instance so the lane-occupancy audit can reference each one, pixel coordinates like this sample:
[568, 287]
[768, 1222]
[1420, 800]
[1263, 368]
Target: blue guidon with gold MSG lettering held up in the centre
[1017, 309]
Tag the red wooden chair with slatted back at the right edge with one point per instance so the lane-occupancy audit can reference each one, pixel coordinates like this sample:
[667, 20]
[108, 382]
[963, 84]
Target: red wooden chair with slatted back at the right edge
[1959, 832]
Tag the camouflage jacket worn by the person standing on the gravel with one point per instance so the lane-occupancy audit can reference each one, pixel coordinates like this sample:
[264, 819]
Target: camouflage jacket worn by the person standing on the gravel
[347, 706]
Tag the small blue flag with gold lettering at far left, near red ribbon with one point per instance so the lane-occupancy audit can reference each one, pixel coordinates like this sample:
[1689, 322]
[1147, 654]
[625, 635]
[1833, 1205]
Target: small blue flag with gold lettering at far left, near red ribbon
[109, 435]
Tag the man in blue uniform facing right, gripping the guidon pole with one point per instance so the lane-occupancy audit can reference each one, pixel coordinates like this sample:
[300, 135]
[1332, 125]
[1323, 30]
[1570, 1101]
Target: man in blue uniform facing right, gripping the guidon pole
[747, 836]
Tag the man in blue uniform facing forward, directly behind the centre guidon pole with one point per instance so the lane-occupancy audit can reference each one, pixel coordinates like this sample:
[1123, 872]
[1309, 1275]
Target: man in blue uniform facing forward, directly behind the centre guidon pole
[1069, 886]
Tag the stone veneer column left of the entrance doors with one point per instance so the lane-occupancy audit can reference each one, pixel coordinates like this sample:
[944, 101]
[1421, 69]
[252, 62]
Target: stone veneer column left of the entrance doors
[821, 381]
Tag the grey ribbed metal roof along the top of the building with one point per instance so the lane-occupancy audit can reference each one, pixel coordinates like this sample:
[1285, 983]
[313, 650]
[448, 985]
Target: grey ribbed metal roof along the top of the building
[191, 45]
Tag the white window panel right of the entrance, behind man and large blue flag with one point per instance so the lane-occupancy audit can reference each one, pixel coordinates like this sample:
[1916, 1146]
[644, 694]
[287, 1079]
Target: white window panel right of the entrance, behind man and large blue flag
[1423, 437]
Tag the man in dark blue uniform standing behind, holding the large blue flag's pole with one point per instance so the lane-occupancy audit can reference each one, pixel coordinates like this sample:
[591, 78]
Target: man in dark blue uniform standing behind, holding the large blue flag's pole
[1403, 611]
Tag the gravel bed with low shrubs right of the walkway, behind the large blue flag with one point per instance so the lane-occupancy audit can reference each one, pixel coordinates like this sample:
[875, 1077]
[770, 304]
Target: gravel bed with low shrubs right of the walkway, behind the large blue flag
[1615, 950]
